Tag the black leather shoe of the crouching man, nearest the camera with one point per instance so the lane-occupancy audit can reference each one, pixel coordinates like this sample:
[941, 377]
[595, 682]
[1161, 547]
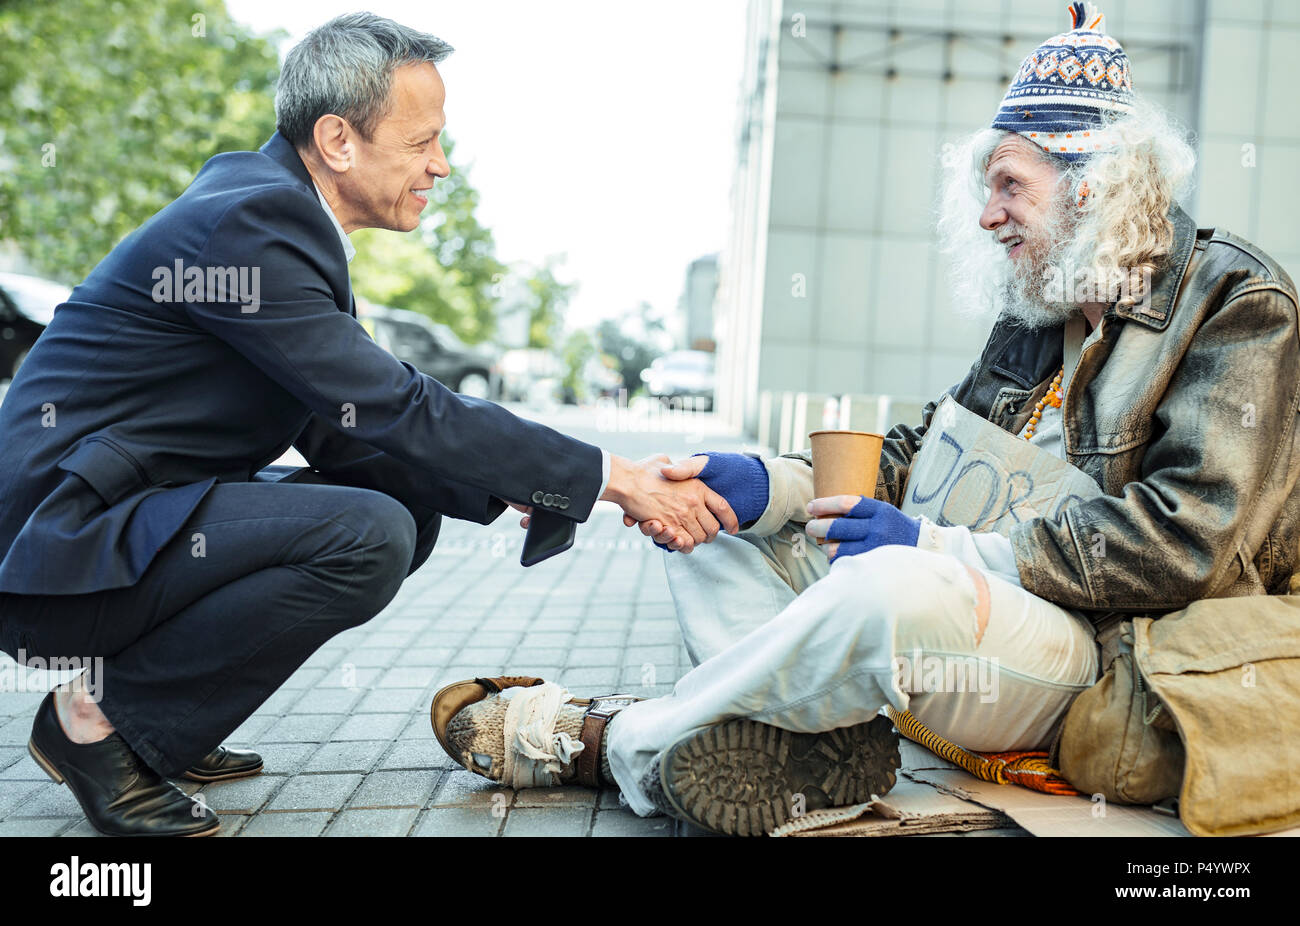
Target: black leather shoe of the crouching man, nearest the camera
[119, 793]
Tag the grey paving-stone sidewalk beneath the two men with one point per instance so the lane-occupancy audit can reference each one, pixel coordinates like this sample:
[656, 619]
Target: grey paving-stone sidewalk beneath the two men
[348, 741]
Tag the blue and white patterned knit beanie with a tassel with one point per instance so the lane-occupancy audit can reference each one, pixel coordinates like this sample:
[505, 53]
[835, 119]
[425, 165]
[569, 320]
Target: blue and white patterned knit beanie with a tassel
[1063, 90]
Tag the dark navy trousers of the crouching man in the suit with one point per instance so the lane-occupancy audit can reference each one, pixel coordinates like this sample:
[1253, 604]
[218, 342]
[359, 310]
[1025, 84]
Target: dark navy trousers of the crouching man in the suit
[261, 577]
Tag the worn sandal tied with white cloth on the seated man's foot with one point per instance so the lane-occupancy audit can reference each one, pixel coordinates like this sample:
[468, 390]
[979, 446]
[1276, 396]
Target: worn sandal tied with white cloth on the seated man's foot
[525, 732]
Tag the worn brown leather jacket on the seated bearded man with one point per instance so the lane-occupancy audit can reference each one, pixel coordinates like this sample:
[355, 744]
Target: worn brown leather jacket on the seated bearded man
[1184, 410]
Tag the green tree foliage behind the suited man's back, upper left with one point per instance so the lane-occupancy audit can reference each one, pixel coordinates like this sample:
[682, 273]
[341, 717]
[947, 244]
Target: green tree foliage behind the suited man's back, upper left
[112, 109]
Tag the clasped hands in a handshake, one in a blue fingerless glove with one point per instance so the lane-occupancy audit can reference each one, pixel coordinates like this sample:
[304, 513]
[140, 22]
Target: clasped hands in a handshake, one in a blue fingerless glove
[686, 504]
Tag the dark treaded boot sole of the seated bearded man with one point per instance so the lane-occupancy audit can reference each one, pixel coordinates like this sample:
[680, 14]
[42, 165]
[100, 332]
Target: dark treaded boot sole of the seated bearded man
[744, 778]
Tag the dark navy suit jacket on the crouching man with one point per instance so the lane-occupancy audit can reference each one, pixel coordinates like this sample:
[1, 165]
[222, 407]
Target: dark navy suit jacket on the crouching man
[135, 401]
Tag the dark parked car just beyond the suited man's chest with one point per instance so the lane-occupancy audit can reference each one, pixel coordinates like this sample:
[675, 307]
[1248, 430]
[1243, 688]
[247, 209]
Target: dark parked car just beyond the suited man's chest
[432, 349]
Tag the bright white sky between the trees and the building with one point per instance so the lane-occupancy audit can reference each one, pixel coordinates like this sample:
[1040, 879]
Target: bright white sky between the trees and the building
[601, 129]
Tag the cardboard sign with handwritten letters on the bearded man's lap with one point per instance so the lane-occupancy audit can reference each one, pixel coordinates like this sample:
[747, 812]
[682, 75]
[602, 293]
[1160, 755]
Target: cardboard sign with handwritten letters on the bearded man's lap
[973, 474]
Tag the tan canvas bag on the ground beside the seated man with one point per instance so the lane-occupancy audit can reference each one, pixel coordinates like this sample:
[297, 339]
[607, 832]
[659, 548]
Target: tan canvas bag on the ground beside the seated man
[1202, 704]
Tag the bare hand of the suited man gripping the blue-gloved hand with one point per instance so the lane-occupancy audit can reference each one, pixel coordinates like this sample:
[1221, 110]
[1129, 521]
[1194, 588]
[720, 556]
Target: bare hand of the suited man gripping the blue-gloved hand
[690, 512]
